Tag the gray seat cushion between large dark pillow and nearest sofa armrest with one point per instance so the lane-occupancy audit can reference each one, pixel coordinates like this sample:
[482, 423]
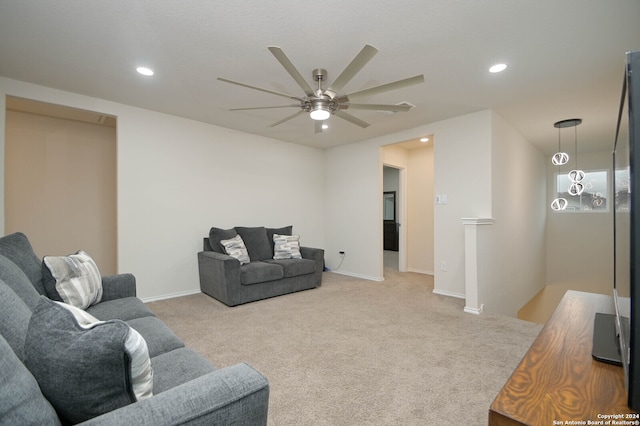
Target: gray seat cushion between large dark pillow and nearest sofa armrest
[177, 367]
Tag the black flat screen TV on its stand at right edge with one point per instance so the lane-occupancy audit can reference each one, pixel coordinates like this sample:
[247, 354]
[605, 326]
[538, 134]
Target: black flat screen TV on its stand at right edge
[617, 337]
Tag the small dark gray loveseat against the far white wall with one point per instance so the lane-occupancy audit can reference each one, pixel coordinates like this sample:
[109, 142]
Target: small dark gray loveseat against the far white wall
[226, 279]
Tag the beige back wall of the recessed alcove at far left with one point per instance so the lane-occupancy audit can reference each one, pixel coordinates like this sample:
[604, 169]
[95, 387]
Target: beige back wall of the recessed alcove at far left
[61, 186]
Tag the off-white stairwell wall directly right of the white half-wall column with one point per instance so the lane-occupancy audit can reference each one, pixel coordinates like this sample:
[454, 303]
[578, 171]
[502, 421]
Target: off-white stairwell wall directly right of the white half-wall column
[513, 258]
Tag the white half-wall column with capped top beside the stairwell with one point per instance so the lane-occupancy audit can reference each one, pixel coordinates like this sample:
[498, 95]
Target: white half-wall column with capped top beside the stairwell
[473, 302]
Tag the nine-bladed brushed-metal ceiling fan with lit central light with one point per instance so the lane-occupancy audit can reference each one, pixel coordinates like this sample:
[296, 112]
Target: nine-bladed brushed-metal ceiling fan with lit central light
[322, 103]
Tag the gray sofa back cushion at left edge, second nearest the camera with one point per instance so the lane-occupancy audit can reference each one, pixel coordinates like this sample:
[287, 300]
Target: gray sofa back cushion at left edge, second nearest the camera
[15, 319]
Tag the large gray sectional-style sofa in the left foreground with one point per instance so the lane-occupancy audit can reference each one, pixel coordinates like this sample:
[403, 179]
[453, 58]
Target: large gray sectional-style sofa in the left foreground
[187, 389]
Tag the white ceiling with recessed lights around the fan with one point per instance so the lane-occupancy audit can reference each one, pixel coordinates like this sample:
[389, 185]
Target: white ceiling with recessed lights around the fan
[565, 59]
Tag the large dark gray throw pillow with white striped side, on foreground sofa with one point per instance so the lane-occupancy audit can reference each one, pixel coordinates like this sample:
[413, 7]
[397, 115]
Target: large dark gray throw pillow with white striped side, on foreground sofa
[85, 372]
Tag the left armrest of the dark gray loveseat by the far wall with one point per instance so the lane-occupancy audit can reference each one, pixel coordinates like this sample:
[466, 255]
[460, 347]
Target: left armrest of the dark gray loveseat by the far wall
[219, 275]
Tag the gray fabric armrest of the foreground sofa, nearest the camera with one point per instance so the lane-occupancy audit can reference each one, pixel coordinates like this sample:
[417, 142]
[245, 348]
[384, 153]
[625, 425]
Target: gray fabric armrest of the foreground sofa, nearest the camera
[233, 395]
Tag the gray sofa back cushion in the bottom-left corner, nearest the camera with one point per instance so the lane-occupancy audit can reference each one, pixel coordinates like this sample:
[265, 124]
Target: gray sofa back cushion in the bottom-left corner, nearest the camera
[21, 401]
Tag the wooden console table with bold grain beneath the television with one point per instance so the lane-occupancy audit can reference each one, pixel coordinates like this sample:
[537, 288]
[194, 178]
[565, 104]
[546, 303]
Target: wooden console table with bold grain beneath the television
[557, 381]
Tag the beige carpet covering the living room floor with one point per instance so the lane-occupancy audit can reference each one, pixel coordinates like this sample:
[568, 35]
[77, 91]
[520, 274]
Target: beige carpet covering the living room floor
[358, 352]
